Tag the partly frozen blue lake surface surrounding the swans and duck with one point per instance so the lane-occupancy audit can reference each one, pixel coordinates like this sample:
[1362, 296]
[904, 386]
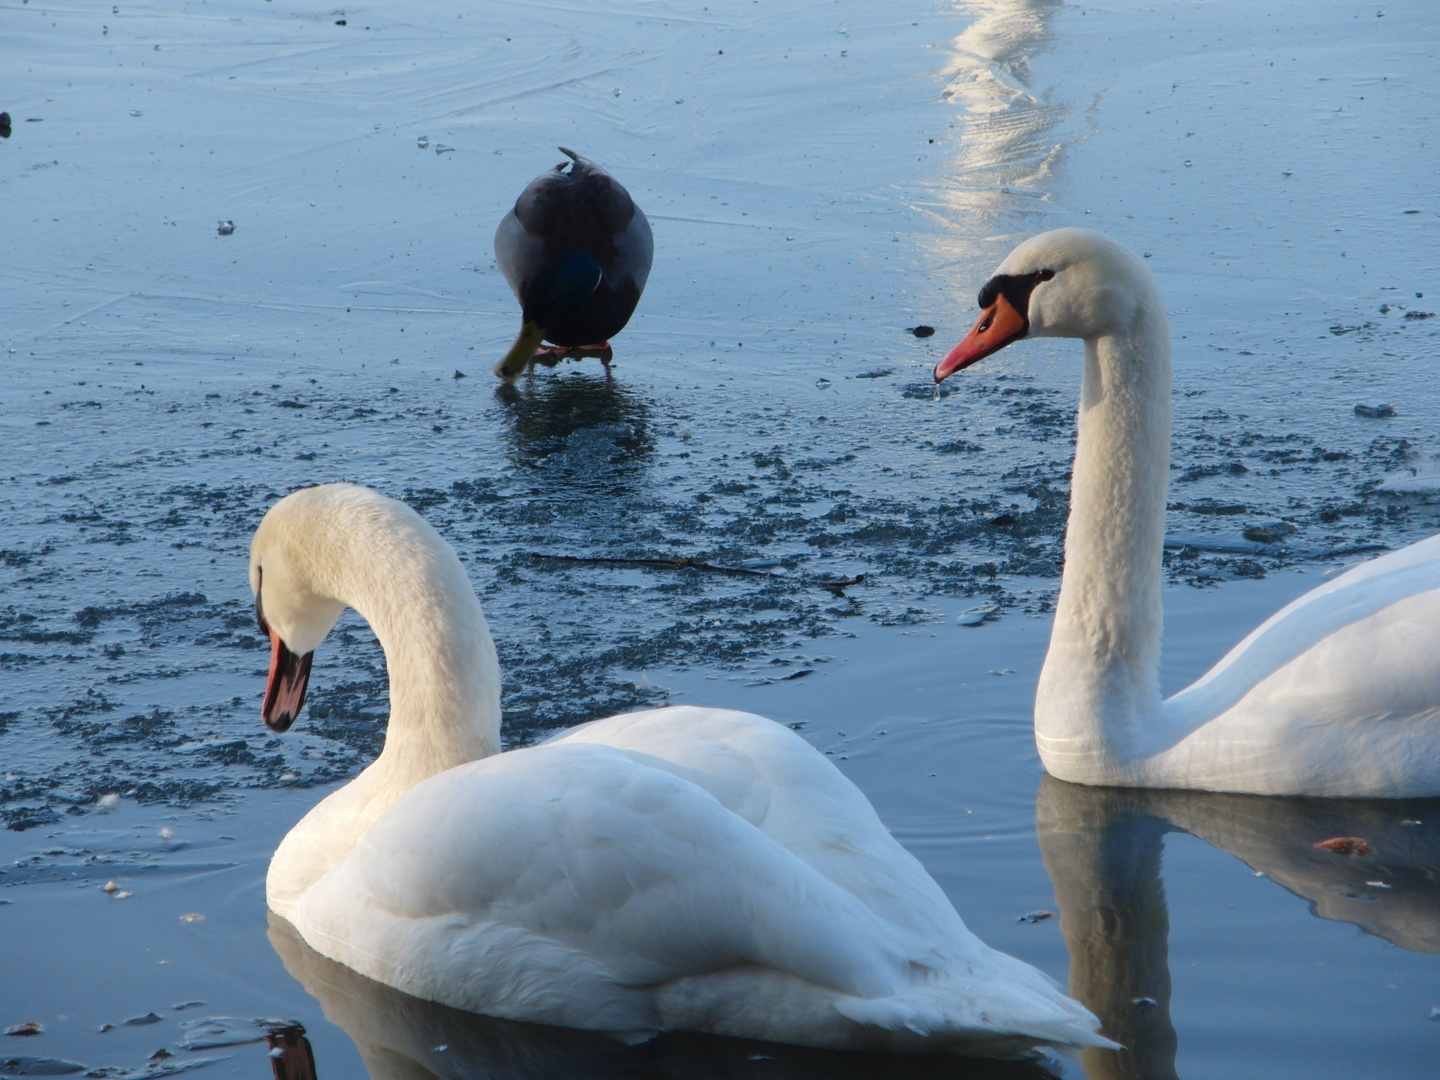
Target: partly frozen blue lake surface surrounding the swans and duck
[822, 178]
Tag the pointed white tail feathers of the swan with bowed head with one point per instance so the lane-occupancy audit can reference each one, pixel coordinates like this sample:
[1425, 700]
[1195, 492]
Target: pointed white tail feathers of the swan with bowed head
[1004, 1012]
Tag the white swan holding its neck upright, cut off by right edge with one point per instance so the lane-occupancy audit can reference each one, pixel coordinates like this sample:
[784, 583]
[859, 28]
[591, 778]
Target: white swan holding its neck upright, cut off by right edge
[1337, 695]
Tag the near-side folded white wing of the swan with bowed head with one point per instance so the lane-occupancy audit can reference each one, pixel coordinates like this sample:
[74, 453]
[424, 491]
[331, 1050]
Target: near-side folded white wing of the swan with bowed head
[567, 875]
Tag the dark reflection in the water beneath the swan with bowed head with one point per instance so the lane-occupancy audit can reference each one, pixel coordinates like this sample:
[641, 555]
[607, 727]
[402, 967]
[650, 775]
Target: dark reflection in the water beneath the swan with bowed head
[405, 1039]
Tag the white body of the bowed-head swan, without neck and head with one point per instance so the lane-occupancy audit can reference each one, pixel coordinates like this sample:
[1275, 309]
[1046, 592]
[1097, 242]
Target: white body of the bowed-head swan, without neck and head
[630, 876]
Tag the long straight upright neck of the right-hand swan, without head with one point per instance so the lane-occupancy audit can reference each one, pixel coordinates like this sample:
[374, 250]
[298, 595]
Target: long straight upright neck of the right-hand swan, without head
[1101, 679]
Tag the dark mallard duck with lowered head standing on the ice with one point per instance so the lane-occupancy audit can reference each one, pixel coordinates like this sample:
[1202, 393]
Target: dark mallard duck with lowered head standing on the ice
[577, 253]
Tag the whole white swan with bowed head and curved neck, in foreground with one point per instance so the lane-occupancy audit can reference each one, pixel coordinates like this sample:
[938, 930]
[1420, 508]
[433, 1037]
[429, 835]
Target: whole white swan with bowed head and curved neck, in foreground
[680, 869]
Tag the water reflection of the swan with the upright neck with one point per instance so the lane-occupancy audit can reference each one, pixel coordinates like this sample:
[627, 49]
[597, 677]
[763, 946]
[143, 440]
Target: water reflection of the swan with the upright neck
[1102, 850]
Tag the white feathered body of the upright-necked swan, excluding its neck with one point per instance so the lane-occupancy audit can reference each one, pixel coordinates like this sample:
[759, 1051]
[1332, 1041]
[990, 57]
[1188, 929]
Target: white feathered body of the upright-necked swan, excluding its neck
[1337, 695]
